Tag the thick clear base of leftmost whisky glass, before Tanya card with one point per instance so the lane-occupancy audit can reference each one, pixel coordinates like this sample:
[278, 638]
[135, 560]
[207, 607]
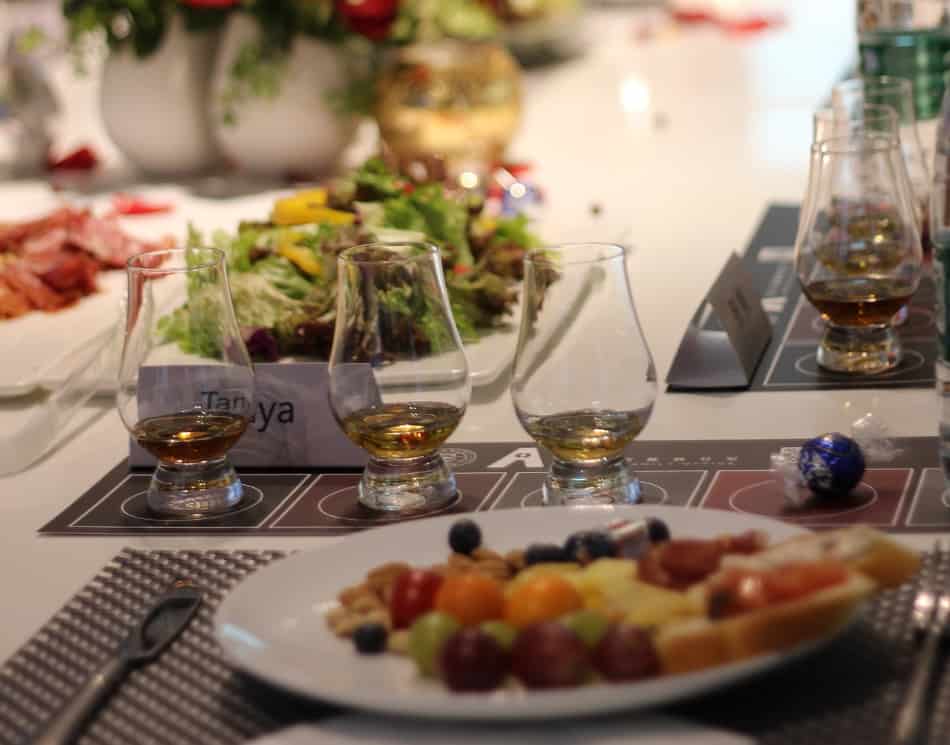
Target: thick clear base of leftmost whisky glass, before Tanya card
[194, 489]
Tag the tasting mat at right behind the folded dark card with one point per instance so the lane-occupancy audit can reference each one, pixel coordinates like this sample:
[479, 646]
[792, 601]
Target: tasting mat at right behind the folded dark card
[789, 363]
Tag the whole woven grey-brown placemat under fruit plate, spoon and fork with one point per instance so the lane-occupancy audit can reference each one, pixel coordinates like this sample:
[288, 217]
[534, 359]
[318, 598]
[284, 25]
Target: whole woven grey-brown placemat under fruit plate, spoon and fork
[846, 694]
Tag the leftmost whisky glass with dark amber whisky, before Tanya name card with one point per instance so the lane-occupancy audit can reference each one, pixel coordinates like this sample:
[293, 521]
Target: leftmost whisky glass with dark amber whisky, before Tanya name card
[186, 406]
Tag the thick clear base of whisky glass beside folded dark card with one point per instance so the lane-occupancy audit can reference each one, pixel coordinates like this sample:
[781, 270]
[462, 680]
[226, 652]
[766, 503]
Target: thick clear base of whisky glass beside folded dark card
[859, 350]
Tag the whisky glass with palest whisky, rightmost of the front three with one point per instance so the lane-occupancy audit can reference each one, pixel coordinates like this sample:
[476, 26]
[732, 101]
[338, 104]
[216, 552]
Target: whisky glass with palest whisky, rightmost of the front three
[583, 383]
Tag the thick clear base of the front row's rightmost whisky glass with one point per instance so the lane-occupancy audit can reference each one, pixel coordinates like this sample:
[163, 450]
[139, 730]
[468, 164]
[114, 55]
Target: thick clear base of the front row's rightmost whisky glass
[613, 482]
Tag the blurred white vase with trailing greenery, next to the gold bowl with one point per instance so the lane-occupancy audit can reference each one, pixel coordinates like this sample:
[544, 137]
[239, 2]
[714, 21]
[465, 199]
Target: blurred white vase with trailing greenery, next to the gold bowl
[294, 131]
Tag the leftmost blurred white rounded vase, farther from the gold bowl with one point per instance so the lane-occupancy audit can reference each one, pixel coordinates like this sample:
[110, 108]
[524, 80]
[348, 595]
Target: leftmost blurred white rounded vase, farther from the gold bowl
[155, 109]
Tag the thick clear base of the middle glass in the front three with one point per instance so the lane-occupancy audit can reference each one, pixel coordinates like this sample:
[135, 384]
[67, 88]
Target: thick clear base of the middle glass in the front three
[411, 485]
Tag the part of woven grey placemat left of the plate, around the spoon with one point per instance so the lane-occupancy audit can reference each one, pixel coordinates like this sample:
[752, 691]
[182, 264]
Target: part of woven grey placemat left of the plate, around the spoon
[188, 696]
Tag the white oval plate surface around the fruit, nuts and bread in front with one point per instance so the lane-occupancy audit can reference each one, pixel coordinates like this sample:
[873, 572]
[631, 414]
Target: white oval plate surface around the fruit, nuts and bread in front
[273, 624]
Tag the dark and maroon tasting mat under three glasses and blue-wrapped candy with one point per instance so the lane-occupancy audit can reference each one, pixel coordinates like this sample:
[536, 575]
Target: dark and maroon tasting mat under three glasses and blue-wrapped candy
[903, 495]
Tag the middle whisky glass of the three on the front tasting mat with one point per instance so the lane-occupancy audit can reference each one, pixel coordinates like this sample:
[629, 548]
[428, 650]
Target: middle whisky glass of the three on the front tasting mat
[399, 379]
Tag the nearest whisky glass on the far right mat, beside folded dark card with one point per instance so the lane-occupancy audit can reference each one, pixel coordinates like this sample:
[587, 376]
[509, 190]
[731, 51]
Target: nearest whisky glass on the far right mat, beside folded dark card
[858, 253]
